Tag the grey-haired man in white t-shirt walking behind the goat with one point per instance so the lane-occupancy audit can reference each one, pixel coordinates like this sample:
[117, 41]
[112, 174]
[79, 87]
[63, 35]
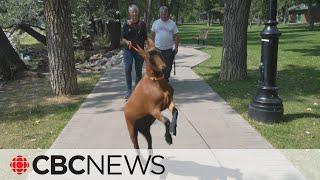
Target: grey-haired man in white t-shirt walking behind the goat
[165, 35]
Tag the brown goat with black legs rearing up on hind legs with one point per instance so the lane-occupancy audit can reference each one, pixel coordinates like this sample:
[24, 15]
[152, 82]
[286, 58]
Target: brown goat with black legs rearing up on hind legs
[151, 96]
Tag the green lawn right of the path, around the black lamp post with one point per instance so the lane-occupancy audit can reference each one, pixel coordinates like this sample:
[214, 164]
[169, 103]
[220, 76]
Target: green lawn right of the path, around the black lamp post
[298, 79]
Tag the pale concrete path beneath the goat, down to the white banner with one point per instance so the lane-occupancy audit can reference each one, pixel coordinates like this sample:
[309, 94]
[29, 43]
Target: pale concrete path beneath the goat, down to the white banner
[205, 119]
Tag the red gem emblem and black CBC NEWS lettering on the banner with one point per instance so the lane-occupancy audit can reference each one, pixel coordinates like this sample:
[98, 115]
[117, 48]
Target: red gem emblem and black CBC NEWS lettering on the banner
[60, 165]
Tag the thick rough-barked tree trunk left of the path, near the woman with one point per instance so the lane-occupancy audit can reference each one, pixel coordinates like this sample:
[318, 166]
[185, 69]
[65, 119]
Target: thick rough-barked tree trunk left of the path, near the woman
[63, 75]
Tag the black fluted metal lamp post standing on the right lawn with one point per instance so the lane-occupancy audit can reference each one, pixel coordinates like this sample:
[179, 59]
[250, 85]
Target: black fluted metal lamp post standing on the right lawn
[266, 105]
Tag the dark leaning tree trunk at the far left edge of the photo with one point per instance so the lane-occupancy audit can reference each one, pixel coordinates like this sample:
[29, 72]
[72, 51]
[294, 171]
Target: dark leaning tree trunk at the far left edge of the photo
[10, 62]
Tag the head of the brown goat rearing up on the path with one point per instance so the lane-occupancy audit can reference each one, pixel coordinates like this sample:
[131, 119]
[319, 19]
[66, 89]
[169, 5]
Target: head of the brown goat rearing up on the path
[152, 57]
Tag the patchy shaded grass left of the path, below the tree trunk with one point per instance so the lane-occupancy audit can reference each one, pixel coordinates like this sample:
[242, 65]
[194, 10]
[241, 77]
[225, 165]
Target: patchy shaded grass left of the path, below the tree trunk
[31, 117]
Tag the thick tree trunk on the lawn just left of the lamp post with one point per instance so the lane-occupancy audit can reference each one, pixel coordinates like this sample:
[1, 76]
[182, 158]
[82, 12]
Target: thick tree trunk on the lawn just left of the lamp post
[234, 52]
